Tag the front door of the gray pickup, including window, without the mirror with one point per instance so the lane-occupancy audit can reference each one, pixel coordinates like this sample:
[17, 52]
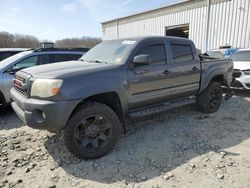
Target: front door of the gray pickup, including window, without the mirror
[149, 84]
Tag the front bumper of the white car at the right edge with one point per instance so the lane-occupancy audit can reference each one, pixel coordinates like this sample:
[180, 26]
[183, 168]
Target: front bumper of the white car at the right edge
[242, 82]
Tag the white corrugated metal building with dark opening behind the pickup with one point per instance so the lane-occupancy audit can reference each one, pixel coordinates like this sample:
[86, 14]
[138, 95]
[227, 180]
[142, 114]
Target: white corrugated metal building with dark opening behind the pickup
[209, 23]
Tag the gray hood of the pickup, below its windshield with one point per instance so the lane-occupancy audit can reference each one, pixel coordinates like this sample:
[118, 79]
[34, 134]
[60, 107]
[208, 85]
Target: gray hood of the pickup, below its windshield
[64, 69]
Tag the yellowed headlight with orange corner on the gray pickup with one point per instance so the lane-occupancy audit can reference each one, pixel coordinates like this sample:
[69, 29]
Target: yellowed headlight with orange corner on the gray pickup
[45, 88]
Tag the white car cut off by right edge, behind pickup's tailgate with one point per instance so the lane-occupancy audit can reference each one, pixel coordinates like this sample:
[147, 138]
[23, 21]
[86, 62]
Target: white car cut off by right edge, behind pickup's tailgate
[241, 72]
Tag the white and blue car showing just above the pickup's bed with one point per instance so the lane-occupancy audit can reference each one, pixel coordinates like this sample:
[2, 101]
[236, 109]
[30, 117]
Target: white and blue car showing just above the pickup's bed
[222, 53]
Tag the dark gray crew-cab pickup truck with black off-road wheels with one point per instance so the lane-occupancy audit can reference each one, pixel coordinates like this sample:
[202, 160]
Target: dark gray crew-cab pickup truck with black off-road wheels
[92, 99]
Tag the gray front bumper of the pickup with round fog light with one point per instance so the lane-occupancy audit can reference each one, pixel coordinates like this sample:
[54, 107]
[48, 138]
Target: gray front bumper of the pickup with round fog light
[42, 114]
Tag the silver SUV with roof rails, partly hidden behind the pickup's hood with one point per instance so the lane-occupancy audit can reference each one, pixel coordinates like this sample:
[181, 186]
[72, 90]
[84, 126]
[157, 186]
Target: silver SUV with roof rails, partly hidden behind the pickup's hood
[11, 65]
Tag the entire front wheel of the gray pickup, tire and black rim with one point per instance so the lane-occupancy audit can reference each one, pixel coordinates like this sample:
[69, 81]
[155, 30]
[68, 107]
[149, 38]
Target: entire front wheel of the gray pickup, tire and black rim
[93, 131]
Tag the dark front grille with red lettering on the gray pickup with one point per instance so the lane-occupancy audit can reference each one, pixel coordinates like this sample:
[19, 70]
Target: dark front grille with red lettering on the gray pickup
[20, 85]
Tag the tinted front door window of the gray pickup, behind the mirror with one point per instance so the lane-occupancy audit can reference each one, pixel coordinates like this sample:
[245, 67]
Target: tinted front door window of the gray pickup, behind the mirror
[156, 52]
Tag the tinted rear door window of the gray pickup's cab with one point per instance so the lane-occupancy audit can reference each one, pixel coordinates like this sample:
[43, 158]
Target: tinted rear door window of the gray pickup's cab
[181, 53]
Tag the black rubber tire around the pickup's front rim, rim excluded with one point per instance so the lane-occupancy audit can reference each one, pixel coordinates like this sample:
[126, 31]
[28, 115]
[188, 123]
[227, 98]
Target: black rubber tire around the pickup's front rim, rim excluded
[88, 109]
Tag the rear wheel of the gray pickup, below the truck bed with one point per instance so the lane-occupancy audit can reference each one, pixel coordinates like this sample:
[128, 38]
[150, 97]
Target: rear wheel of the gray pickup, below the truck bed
[209, 100]
